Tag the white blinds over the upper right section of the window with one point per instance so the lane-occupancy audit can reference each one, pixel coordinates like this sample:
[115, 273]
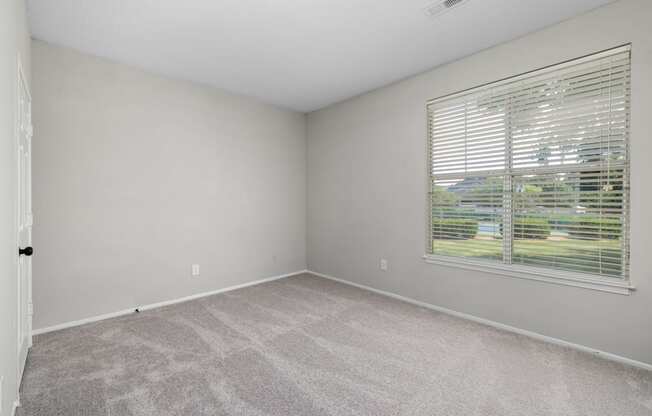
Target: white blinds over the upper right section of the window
[576, 115]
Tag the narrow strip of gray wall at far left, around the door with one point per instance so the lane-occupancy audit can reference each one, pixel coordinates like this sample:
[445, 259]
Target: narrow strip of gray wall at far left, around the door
[14, 42]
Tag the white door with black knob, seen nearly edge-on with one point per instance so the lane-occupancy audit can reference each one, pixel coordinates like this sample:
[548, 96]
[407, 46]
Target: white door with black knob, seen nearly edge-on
[24, 138]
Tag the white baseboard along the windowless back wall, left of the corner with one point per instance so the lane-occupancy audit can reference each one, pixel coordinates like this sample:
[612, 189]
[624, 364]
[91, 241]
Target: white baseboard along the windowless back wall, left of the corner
[159, 304]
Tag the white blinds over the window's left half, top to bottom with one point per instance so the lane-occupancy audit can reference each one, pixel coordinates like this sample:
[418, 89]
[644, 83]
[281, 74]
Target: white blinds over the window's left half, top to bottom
[467, 159]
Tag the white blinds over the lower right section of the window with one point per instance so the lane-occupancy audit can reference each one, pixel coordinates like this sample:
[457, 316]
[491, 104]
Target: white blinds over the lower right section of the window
[570, 221]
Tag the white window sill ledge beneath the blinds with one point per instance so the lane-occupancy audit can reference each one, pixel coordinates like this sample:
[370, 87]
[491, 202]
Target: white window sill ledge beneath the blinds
[538, 274]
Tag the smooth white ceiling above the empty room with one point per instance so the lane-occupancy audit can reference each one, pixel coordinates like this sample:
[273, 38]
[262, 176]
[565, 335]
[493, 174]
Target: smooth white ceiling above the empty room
[303, 55]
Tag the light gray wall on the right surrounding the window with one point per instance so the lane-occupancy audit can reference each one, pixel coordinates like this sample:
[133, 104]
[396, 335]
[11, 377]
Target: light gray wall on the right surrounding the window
[367, 181]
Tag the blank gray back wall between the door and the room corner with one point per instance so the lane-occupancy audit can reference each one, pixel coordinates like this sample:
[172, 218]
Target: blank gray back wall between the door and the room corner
[136, 177]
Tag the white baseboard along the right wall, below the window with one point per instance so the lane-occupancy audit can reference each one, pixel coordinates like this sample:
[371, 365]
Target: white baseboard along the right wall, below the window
[534, 335]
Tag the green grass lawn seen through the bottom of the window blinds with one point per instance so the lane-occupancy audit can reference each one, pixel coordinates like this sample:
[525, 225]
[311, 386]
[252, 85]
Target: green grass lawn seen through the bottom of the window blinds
[595, 257]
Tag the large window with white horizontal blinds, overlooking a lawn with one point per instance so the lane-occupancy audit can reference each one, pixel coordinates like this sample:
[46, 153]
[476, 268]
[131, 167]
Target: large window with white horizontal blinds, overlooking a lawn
[531, 173]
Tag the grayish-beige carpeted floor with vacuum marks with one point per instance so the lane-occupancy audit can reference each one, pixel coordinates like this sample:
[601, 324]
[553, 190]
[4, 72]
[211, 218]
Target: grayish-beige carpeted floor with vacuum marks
[309, 346]
